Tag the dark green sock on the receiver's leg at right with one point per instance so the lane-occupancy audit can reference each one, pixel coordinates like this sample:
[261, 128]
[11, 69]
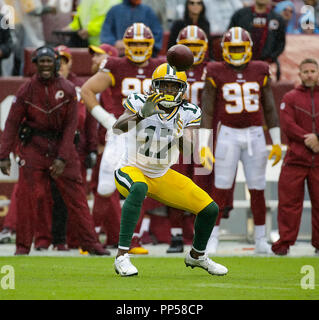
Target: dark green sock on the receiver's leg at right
[203, 226]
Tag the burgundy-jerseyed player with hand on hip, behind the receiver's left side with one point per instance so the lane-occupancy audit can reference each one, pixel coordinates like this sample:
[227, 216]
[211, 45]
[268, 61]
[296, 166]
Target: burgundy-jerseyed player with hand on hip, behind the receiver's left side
[129, 74]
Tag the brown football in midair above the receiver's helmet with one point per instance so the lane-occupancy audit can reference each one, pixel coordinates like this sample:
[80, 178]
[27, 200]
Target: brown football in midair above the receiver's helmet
[180, 57]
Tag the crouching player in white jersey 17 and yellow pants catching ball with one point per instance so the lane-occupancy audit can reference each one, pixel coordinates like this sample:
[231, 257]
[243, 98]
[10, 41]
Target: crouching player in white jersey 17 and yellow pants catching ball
[155, 125]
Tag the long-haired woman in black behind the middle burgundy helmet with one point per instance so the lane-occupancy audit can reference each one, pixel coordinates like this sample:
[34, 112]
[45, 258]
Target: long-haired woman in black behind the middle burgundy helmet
[194, 14]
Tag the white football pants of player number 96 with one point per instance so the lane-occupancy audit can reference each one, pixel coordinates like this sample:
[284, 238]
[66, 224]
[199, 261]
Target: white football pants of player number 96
[247, 145]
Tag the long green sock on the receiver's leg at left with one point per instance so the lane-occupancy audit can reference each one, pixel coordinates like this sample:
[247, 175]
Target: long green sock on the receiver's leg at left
[130, 213]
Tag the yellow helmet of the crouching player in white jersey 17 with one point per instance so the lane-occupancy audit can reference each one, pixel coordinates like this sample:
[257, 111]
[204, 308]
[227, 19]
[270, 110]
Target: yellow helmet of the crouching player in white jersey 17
[171, 83]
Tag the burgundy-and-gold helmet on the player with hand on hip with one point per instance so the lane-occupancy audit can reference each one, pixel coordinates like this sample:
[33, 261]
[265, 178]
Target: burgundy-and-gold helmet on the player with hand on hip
[139, 42]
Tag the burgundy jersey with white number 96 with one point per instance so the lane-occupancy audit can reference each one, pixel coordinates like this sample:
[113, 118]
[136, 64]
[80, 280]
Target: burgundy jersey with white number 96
[239, 92]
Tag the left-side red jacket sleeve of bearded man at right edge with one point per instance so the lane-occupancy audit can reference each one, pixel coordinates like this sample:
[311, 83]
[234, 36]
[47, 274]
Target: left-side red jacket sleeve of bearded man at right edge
[288, 121]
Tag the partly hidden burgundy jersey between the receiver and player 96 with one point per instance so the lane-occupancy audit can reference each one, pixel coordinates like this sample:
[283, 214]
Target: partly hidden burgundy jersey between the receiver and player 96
[195, 80]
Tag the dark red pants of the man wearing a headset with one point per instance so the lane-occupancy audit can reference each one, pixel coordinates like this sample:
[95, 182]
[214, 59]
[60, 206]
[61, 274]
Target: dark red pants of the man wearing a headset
[34, 208]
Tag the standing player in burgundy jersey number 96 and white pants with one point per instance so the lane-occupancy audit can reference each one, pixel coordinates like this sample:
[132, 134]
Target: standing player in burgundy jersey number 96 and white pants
[240, 90]
